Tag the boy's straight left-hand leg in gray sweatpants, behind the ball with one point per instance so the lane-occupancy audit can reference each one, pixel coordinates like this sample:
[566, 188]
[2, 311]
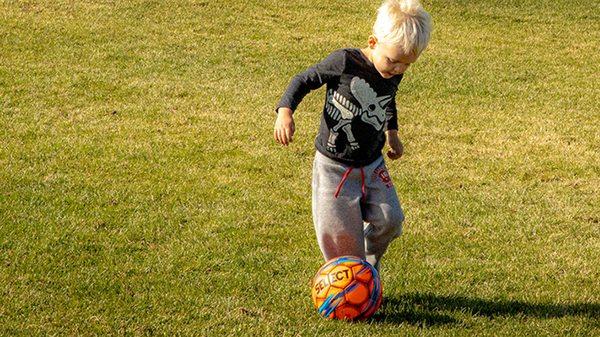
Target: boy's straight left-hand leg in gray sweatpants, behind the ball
[338, 221]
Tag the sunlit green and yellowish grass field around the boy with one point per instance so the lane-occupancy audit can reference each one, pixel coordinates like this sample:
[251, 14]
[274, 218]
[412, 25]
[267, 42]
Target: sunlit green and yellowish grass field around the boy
[141, 191]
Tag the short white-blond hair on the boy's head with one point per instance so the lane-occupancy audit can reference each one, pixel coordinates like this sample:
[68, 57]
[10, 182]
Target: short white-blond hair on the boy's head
[404, 23]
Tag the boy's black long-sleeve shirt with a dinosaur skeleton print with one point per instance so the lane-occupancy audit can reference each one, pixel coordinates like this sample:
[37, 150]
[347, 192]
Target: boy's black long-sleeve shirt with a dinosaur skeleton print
[359, 105]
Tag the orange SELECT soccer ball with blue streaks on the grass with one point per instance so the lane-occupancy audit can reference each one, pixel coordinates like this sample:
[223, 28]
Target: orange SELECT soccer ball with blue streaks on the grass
[348, 288]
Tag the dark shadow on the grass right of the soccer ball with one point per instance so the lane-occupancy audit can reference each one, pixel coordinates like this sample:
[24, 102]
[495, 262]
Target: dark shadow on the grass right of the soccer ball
[430, 309]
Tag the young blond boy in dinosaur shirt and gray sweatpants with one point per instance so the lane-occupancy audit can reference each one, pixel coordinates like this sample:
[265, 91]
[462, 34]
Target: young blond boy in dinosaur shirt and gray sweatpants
[355, 207]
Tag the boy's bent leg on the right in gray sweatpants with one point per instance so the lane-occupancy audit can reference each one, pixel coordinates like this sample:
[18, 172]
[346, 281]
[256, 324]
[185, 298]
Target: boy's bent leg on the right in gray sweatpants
[382, 212]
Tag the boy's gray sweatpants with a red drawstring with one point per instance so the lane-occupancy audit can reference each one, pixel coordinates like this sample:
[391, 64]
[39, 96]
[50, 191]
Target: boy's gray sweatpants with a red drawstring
[359, 215]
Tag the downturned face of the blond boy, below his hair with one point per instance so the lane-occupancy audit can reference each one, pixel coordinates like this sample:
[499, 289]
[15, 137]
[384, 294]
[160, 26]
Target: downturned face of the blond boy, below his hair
[390, 60]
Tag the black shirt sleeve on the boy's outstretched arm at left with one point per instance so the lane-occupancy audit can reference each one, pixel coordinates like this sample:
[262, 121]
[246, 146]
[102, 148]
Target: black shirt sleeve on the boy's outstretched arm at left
[313, 78]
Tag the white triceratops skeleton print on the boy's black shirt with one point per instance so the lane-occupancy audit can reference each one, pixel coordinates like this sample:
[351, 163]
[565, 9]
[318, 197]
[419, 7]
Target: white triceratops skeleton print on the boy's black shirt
[371, 111]
